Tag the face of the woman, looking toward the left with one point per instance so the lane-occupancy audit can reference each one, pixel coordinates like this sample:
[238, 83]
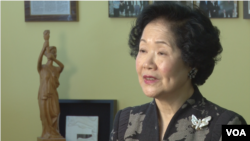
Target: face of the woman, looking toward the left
[159, 64]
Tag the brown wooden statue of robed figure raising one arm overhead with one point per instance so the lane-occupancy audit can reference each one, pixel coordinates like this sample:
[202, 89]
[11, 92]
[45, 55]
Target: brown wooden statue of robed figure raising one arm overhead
[47, 95]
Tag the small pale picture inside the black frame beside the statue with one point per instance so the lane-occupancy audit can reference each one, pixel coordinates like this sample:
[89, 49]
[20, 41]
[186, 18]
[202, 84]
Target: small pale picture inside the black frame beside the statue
[81, 128]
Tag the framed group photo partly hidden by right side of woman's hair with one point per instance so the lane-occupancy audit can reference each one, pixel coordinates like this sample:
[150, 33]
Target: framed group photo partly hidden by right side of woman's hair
[219, 8]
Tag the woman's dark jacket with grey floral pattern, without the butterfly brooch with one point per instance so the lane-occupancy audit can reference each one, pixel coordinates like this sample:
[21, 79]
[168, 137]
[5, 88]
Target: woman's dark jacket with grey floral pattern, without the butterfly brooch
[140, 123]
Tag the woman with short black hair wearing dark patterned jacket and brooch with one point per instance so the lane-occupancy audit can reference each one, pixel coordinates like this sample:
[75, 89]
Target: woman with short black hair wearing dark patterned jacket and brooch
[176, 49]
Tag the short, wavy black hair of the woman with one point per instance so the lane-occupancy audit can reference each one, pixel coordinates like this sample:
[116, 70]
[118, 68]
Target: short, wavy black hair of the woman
[193, 32]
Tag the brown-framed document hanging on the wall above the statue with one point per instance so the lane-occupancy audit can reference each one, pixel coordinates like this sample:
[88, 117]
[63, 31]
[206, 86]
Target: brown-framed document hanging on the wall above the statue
[51, 10]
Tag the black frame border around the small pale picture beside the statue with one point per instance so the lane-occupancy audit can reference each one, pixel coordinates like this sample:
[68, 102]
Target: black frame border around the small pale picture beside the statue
[104, 109]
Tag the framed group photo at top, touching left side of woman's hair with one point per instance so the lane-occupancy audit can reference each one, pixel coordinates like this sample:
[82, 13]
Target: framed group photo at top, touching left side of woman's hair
[126, 8]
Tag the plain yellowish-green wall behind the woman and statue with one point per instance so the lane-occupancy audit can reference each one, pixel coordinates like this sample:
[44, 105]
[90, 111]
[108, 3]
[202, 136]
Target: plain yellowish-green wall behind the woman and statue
[98, 66]
